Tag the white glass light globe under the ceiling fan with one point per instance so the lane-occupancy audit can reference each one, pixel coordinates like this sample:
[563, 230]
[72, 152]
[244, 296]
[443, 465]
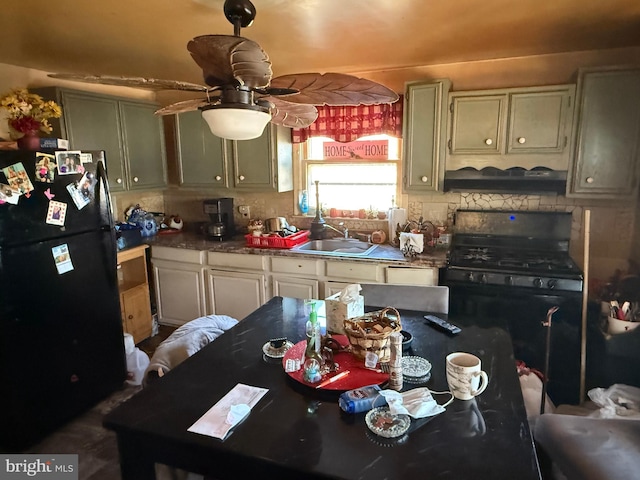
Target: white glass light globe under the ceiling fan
[236, 123]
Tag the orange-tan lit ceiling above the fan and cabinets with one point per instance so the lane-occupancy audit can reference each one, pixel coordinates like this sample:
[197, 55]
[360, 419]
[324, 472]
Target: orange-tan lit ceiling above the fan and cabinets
[148, 37]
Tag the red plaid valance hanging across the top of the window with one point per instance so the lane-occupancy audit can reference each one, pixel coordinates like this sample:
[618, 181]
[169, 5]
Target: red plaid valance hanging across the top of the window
[347, 124]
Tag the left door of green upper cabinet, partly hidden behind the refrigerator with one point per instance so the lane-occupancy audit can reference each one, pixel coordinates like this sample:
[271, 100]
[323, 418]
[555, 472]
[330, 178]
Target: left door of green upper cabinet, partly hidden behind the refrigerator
[92, 123]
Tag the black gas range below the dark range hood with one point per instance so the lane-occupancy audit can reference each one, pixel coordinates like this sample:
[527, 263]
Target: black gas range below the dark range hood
[515, 265]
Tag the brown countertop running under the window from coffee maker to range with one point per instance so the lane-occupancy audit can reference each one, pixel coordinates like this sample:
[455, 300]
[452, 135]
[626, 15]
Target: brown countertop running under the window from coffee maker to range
[385, 253]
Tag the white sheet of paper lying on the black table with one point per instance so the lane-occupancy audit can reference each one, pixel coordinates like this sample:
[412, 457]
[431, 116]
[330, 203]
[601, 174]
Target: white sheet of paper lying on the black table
[214, 422]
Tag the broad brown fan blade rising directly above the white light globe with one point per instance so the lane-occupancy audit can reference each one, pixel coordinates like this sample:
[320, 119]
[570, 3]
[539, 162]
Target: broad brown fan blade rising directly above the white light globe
[227, 59]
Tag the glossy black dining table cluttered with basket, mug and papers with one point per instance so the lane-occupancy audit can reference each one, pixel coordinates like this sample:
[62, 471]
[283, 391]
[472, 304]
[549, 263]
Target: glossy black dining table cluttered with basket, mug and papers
[298, 432]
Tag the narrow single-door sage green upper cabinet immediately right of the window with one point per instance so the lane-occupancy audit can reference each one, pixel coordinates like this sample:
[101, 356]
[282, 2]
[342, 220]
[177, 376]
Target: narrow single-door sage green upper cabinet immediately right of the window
[423, 135]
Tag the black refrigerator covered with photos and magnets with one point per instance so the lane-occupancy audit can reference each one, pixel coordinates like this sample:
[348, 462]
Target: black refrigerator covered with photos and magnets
[61, 339]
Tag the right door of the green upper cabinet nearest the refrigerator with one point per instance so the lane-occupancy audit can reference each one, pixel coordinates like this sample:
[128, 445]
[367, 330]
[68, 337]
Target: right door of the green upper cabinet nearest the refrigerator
[144, 145]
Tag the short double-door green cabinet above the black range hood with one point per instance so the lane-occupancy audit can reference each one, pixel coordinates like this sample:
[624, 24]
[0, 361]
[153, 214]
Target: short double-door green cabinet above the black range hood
[525, 127]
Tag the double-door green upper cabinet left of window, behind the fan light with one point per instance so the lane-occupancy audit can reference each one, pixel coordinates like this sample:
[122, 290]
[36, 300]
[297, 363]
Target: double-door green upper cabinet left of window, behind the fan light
[262, 164]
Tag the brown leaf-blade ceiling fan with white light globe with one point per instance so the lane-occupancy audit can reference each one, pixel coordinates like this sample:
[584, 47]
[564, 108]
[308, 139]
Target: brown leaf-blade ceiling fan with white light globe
[240, 95]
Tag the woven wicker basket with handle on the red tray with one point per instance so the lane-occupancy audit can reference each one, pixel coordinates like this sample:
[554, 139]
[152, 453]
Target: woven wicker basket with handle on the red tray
[371, 332]
